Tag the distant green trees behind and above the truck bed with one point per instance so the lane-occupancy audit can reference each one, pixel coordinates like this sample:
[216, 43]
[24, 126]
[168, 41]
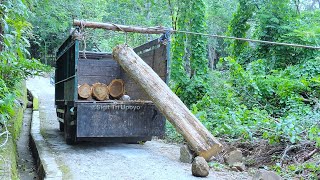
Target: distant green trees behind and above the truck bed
[52, 22]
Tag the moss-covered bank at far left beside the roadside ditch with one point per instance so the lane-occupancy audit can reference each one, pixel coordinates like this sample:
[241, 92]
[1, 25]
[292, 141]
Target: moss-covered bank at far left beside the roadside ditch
[8, 154]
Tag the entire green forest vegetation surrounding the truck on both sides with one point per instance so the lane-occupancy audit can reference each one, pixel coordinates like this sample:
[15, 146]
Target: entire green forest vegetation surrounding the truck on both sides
[253, 96]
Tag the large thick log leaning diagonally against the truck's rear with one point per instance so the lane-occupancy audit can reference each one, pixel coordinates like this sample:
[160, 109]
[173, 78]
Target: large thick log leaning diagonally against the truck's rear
[199, 138]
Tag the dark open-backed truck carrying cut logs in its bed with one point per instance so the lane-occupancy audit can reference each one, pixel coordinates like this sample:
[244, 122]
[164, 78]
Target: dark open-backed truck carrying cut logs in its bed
[92, 90]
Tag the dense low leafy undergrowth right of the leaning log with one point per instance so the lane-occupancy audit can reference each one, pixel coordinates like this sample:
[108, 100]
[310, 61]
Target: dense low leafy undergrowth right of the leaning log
[248, 103]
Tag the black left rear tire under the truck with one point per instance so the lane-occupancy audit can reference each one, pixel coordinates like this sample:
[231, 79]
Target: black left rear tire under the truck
[69, 130]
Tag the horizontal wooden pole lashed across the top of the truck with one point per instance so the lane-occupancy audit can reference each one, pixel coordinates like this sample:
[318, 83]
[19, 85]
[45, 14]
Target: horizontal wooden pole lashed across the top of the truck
[118, 27]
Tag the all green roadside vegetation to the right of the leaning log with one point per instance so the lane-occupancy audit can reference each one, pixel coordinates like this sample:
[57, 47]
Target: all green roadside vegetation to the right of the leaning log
[257, 96]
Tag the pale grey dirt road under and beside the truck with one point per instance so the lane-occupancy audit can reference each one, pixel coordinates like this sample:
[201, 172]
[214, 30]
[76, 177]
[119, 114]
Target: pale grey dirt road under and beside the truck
[88, 160]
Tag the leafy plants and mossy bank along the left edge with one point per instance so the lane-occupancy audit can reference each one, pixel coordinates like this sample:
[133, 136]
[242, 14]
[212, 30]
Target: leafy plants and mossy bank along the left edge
[16, 65]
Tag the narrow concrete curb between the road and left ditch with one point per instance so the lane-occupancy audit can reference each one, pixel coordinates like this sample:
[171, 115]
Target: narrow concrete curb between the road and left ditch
[47, 167]
